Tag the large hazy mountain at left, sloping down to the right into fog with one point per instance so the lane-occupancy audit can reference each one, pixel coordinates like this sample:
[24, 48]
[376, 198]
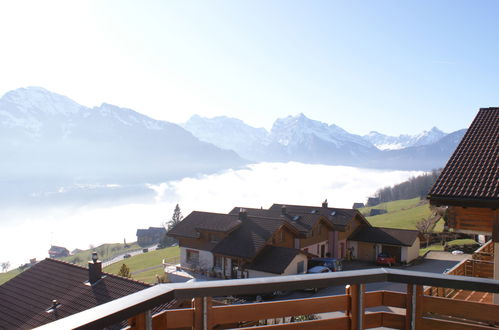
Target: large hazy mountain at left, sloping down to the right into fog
[47, 136]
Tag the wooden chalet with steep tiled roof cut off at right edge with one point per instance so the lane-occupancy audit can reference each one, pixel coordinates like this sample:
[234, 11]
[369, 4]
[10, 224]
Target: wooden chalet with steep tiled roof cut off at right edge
[469, 185]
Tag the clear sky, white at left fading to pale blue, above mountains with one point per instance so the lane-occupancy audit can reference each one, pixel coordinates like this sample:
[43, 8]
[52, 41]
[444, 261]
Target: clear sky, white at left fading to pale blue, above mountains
[392, 66]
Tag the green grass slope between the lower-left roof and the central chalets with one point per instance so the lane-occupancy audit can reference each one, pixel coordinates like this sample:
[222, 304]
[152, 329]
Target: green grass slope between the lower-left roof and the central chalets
[145, 261]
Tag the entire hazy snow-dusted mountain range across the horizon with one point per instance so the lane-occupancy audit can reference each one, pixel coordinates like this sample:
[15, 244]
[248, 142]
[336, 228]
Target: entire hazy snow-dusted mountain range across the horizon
[46, 137]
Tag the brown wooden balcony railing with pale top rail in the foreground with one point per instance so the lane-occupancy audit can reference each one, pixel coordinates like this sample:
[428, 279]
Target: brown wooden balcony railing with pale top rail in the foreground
[418, 311]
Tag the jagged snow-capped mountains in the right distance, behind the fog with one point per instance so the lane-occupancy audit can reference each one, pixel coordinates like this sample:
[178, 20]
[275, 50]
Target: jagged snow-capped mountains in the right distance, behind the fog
[298, 138]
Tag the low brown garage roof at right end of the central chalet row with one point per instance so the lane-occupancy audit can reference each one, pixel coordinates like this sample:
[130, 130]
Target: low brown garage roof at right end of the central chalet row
[390, 236]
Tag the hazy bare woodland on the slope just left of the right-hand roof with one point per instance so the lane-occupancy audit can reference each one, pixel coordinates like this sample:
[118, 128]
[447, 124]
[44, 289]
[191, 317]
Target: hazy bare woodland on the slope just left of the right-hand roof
[418, 186]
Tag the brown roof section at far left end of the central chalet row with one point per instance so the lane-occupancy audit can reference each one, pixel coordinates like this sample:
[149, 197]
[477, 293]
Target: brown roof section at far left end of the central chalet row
[204, 221]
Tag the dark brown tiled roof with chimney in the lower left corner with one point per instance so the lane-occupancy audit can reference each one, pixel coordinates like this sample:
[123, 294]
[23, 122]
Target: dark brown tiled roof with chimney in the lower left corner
[25, 299]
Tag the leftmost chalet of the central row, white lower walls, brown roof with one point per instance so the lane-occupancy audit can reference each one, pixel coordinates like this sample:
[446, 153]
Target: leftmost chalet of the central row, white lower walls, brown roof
[238, 246]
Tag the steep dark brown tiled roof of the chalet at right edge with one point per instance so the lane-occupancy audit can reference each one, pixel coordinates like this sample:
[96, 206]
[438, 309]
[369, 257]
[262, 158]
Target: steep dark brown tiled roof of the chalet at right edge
[471, 176]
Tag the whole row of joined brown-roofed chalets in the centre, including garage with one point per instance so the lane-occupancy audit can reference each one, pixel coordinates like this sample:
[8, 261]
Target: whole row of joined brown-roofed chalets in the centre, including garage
[252, 242]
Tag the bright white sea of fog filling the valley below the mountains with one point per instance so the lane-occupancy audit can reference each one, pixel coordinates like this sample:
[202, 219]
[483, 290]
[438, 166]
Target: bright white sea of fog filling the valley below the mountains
[110, 213]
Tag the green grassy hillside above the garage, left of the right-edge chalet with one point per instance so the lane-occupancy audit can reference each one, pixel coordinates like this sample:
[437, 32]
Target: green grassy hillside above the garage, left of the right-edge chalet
[403, 214]
